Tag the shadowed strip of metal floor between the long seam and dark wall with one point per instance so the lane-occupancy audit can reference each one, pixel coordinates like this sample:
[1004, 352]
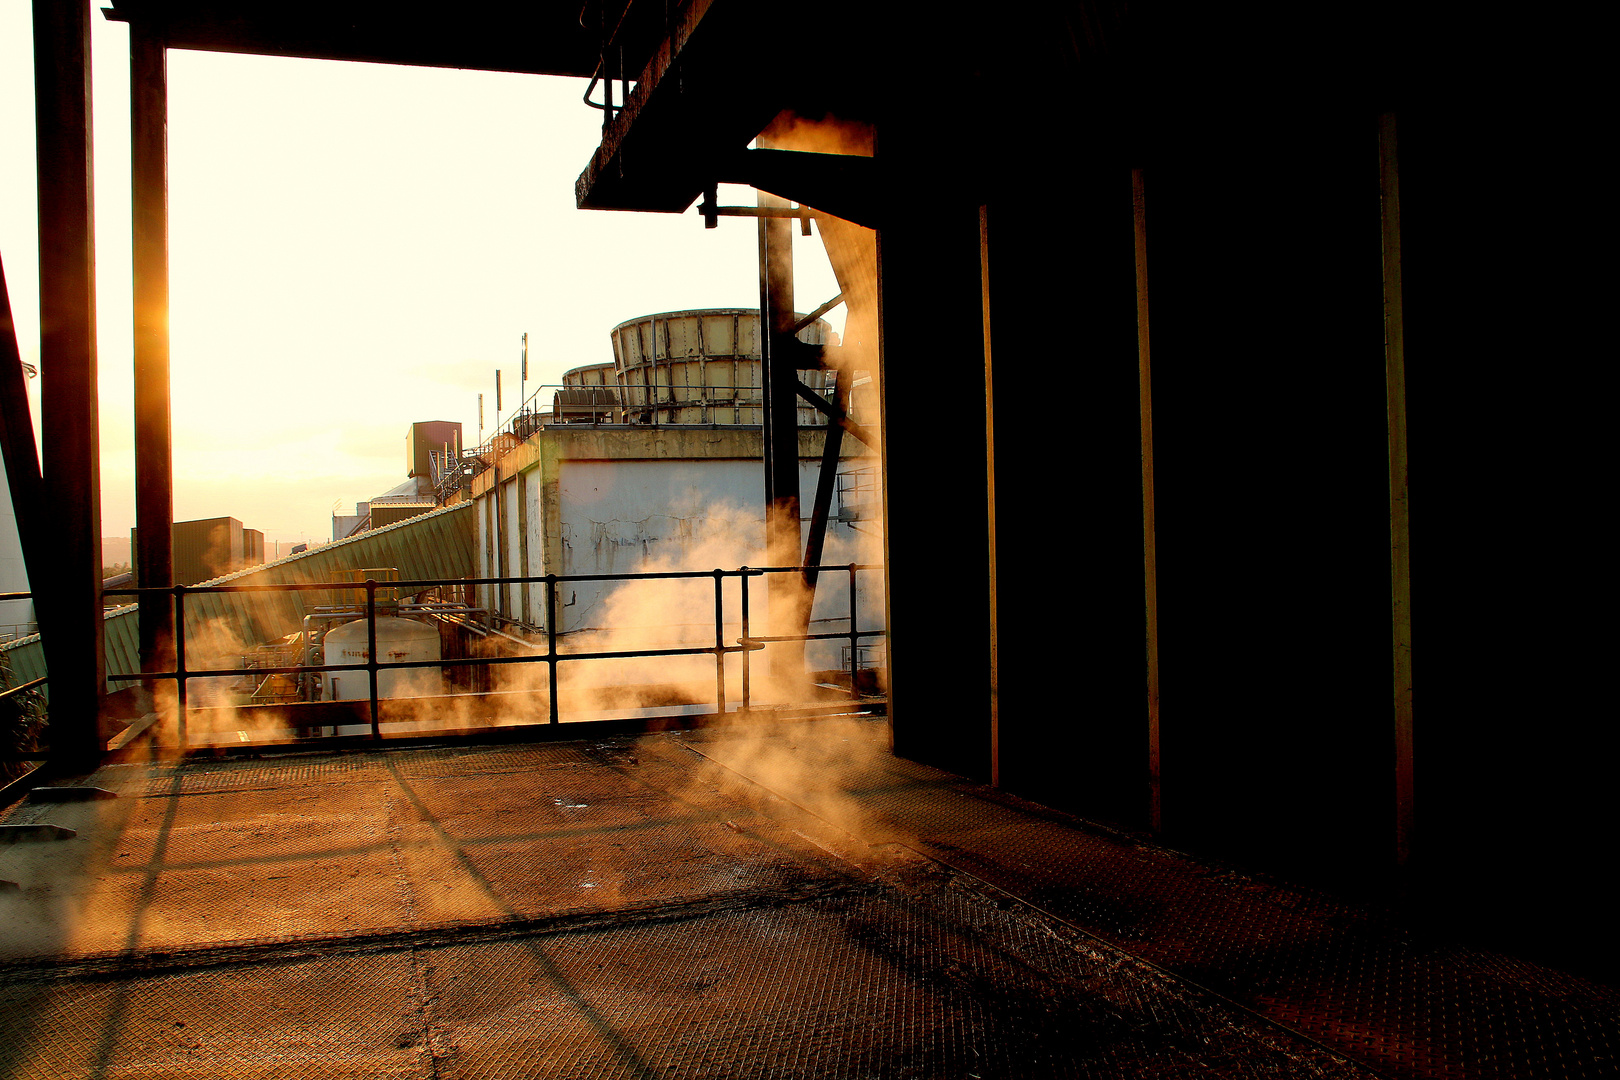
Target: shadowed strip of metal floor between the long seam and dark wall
[1345, 977]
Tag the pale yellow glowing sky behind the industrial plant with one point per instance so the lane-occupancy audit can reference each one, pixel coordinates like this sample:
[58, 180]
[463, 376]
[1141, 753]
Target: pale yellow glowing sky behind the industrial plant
[352, 249]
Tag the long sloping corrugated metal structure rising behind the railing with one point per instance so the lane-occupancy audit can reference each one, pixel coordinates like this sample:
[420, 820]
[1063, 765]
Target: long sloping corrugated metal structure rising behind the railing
[430, 546]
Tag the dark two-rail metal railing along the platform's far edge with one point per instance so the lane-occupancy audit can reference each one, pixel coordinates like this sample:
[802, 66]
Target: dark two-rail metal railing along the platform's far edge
[746, 644]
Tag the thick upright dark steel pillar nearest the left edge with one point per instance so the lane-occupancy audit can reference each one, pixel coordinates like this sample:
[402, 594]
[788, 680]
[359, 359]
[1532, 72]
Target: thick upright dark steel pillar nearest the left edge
[70, 584]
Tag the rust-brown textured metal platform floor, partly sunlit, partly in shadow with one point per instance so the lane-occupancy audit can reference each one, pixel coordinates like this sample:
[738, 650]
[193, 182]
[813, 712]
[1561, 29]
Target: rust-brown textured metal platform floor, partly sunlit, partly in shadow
[704, 904]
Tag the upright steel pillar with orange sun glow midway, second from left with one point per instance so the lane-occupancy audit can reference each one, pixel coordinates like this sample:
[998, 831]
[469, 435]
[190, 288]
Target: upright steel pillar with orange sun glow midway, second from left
[155, 501]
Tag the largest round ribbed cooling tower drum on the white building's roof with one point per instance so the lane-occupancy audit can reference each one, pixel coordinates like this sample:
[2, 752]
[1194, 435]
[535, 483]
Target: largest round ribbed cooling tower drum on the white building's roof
[702, 367]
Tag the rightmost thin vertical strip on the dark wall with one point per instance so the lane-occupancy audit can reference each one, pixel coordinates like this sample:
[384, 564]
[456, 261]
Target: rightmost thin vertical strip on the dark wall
[1400, 535]
